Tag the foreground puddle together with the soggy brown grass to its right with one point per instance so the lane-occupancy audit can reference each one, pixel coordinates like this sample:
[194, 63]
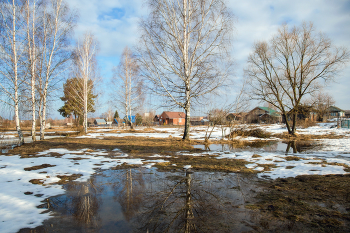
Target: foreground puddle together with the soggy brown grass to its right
[146, 200]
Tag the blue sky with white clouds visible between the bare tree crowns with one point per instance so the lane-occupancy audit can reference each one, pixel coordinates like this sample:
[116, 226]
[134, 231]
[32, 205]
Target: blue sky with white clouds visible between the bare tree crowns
[115, 25]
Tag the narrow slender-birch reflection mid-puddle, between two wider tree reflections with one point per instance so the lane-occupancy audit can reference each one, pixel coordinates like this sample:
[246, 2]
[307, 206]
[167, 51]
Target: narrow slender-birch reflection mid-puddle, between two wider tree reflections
[128, 187]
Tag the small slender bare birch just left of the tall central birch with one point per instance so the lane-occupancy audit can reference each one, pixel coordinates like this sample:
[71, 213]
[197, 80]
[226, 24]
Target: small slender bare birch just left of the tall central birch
[130, 84]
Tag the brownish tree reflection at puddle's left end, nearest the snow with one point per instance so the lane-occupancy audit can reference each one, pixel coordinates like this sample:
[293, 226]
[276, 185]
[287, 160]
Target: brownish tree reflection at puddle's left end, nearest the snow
[81, 202]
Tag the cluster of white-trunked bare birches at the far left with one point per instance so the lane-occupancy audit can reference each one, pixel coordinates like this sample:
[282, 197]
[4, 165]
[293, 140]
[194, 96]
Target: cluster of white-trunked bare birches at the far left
[33, 53]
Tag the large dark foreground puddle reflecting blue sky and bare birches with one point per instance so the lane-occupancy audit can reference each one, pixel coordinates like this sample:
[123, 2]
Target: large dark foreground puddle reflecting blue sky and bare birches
[144, 200]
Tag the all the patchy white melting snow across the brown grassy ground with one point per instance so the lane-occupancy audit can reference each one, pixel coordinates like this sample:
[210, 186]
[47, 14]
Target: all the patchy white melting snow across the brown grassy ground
[19, 197]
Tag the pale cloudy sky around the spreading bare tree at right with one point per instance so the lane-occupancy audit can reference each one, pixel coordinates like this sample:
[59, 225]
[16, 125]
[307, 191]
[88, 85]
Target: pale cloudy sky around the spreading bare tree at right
[259, 20]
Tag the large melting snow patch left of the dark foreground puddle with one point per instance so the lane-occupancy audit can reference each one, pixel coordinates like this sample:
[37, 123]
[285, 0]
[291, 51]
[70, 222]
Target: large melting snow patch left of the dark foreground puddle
[18, 210]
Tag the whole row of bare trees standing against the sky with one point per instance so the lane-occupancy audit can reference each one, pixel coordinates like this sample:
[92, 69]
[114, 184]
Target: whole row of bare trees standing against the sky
[183, 55]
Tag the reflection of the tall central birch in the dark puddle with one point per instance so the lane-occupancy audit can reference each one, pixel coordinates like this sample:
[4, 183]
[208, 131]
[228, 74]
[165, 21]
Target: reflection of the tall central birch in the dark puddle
[184, 205]
